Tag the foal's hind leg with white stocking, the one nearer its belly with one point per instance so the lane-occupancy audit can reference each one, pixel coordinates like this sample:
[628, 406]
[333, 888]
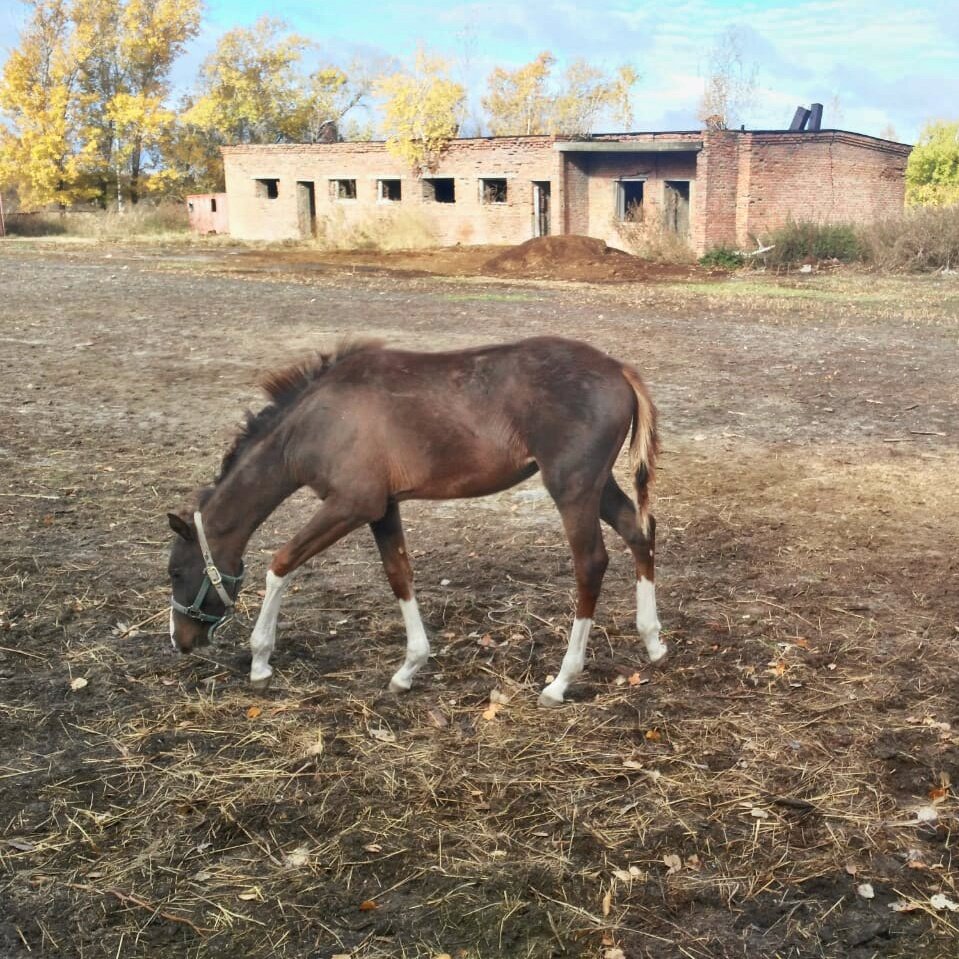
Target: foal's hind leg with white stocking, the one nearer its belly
[590, 559]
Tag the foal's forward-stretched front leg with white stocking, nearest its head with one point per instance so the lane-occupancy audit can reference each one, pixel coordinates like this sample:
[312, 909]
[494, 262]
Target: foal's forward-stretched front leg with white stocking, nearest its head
[330, 523]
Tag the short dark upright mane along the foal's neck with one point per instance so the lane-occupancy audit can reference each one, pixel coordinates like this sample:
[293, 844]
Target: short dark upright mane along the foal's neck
[284, 387]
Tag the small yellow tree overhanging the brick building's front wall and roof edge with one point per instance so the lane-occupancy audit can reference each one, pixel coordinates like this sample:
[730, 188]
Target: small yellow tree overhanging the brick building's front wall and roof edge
[422, 110]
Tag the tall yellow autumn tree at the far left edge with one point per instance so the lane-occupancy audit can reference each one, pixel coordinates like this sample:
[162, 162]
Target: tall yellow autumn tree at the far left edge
[42, 152]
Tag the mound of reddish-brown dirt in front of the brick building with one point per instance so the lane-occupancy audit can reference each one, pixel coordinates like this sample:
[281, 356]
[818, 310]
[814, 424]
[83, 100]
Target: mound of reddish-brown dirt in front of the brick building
[580, 258]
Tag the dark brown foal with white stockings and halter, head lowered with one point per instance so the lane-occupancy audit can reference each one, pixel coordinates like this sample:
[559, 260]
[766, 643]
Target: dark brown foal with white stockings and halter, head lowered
[367, 428]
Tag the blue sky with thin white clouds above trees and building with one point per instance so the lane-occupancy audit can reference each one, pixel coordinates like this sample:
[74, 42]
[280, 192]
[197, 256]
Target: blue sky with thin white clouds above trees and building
[871, 62]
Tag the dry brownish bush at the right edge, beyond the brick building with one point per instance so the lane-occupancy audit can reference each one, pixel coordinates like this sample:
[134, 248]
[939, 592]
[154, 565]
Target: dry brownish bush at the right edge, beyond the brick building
[922, 239]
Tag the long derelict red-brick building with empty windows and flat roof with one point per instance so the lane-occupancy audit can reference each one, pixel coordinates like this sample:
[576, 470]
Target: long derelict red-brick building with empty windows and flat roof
[714, 187]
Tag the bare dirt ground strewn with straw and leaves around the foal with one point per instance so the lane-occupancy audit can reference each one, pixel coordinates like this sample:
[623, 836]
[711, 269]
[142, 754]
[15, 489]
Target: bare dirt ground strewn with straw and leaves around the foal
[784, 786]
